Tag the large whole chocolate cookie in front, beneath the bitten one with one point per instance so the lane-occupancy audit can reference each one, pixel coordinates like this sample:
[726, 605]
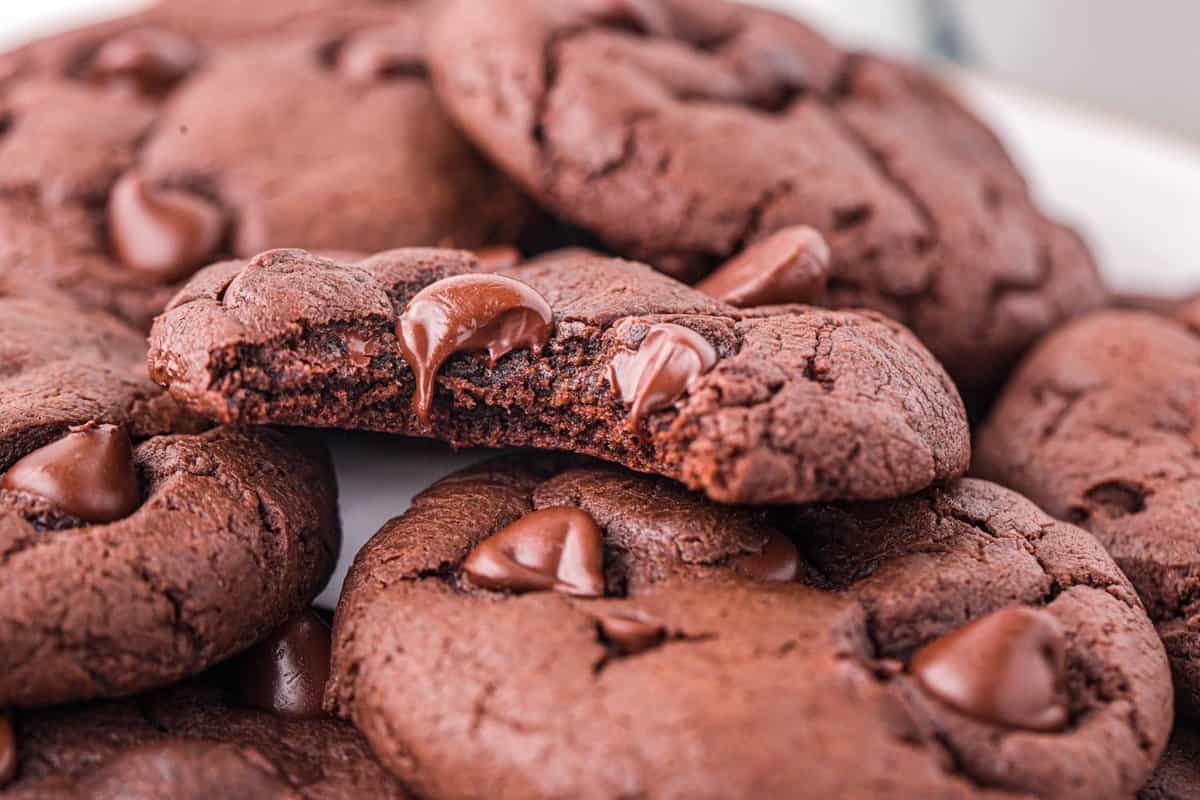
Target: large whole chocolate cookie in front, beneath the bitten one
[865, 651]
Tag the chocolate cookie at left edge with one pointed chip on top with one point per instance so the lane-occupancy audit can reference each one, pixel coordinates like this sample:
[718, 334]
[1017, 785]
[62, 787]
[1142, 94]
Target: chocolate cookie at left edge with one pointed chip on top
[130, 558]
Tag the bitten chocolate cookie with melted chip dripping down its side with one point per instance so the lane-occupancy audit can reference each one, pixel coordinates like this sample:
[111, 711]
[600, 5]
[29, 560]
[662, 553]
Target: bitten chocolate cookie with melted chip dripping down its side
[601, 357]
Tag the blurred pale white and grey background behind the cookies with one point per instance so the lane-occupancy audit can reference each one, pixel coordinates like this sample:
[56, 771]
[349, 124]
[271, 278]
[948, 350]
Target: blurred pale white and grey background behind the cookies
[1096, 99]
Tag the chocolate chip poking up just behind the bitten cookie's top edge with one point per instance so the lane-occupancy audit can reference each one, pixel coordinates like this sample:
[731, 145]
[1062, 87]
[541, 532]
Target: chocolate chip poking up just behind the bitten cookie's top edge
[791, 266]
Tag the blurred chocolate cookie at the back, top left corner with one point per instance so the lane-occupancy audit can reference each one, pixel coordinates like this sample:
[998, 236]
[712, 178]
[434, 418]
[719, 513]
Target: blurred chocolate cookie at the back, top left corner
[134, 153]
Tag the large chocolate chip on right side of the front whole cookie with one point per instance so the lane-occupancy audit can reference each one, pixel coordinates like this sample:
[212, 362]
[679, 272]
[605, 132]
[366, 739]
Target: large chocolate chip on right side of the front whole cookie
[1007, 669]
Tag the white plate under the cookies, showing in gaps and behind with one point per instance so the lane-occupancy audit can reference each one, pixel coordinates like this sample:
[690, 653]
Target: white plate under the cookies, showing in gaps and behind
[1135, 194]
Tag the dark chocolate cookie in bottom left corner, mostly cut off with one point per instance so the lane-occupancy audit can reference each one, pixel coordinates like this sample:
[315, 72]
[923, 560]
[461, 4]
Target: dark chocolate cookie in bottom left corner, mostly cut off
[197, 741]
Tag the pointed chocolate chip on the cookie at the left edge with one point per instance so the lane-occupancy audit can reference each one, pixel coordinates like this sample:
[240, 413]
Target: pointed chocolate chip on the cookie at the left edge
[89, 474]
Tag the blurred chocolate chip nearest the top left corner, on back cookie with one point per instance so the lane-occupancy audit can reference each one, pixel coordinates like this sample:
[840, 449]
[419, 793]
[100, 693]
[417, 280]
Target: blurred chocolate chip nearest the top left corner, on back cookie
[152, 61]
